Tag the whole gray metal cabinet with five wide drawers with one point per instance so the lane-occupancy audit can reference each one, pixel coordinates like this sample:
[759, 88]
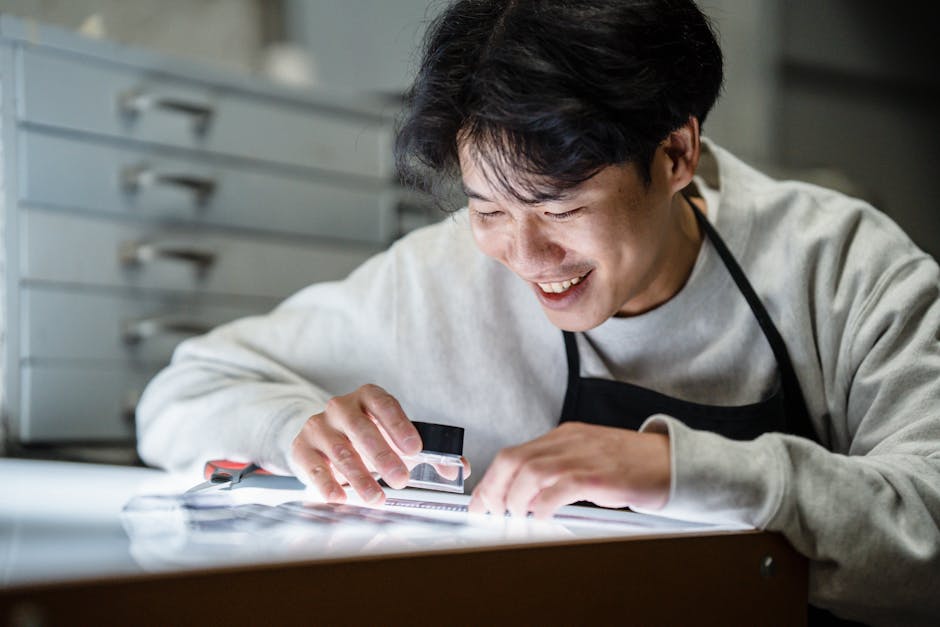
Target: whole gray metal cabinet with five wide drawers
[145, 201]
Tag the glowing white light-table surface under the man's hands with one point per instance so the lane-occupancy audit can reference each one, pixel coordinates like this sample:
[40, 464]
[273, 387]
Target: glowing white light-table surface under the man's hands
[62, 521]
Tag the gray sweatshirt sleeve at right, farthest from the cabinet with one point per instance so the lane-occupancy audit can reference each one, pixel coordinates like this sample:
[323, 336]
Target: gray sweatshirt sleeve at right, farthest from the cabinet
[869, 520]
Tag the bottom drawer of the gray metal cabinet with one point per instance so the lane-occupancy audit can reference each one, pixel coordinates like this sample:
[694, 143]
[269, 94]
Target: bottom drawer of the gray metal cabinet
[80, 404]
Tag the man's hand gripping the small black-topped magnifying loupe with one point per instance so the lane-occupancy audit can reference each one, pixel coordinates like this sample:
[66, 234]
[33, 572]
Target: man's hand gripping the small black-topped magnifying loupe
[355, 434]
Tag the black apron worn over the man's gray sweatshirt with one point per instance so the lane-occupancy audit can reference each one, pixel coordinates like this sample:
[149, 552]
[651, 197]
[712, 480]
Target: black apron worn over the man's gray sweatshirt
[618, 404]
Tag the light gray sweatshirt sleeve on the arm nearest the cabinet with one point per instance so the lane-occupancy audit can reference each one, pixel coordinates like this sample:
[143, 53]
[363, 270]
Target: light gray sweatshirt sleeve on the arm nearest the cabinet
[244, 390]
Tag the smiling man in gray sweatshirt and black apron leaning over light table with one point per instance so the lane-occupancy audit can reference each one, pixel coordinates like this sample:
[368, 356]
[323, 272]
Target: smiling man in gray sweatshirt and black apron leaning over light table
[730, 347]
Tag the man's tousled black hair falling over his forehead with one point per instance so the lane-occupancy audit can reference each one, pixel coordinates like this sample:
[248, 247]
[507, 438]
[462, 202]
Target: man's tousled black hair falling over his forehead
[549, 92]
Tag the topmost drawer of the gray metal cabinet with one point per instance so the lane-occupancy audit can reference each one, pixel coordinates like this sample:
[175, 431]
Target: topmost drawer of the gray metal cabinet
[97, 97]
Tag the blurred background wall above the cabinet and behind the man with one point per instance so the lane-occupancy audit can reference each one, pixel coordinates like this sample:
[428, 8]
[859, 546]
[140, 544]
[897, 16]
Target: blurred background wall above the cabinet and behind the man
[839, 92]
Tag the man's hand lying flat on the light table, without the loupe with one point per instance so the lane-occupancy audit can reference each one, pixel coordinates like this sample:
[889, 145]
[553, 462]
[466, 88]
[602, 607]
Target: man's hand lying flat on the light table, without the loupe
[577, 462]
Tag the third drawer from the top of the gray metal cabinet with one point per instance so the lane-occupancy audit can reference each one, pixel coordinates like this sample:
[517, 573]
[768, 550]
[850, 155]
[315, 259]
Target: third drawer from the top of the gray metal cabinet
[64, 248]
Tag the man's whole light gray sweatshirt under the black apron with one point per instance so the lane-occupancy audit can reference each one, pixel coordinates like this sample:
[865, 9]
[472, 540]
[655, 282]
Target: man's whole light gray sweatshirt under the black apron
[458, 339]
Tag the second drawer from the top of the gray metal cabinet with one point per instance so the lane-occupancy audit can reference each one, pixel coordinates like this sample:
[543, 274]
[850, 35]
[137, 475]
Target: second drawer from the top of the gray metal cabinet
[67, 173]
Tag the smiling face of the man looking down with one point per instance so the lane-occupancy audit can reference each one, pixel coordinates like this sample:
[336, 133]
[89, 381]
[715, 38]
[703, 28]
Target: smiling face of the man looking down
[604, 248]
